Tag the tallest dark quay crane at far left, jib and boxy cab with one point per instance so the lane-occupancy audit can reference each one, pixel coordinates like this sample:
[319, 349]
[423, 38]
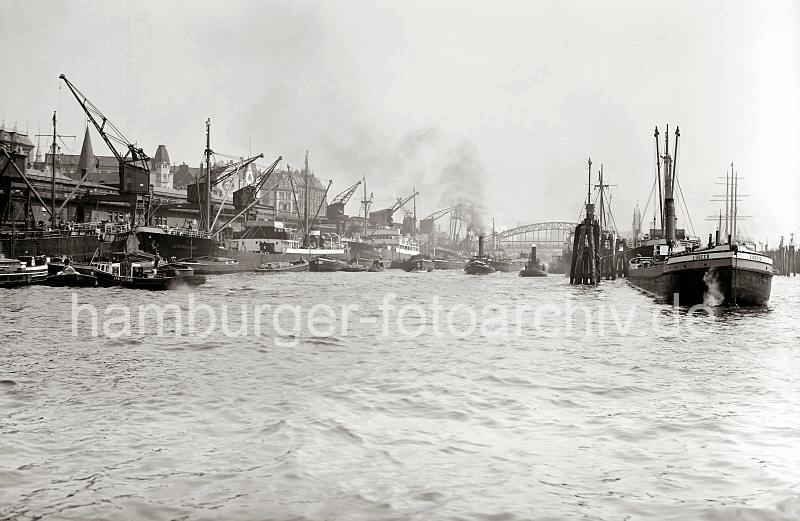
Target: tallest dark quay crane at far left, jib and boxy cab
[134, 164]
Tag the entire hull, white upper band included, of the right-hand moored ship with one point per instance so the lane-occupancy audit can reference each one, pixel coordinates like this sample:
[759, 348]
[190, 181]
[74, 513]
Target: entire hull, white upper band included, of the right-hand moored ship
[703, 279]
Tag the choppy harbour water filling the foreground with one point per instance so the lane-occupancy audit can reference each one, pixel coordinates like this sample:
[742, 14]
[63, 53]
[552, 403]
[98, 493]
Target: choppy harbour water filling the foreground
[595, 403]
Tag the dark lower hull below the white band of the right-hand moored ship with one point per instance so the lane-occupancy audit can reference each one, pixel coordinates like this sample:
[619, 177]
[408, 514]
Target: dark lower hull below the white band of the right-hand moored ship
[723, 285]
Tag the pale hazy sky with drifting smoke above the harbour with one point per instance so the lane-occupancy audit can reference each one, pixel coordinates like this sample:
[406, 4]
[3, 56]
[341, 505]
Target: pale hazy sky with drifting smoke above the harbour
[501, 101]
